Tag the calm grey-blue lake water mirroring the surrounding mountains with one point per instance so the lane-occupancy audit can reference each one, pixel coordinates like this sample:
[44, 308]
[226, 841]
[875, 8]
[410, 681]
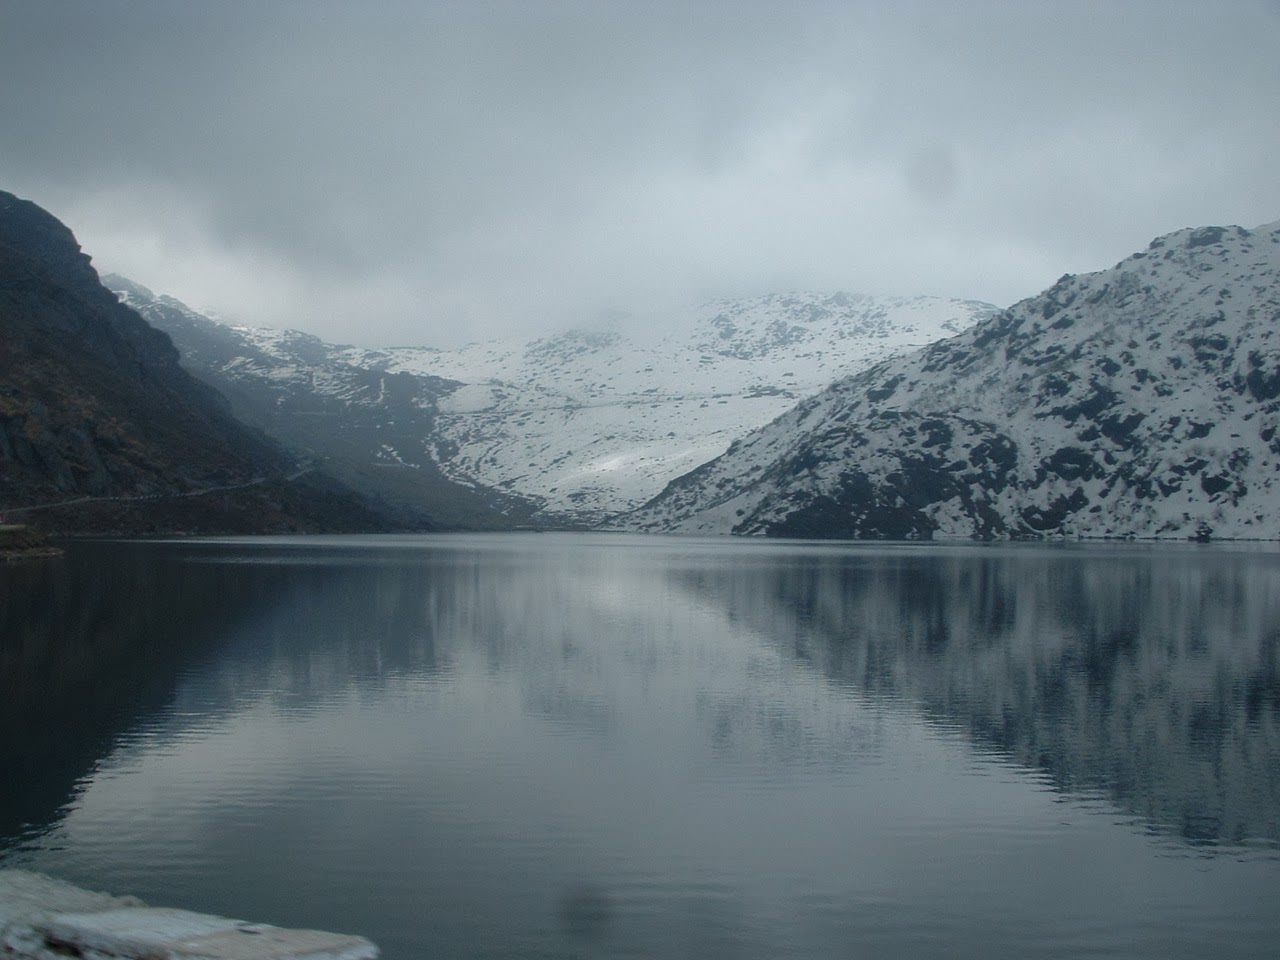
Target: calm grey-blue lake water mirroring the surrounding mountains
[606, 747]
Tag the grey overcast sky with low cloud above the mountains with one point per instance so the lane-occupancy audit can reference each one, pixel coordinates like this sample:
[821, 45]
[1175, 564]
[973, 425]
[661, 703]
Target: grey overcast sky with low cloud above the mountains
[428, 173]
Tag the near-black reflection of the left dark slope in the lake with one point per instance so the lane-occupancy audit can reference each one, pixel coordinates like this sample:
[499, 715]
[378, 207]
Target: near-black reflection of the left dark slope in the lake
[90, 646]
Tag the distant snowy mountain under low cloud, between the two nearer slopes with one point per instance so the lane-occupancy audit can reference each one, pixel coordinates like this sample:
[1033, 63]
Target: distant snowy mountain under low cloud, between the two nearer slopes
[582, 426]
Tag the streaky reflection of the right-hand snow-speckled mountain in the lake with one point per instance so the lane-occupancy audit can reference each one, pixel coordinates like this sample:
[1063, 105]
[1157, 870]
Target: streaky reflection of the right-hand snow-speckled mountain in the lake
[1151, 676]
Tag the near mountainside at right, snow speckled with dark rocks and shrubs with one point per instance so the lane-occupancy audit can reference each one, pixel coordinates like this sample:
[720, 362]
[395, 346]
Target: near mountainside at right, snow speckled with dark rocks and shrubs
[1140, 401]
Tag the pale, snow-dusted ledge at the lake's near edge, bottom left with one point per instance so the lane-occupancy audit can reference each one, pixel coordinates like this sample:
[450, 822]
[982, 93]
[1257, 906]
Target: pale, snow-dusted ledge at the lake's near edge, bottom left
[43, 918]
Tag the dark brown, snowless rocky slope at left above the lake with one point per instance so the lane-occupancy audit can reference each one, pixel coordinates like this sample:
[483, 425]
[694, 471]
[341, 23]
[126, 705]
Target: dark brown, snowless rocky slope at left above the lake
[98, 417]
